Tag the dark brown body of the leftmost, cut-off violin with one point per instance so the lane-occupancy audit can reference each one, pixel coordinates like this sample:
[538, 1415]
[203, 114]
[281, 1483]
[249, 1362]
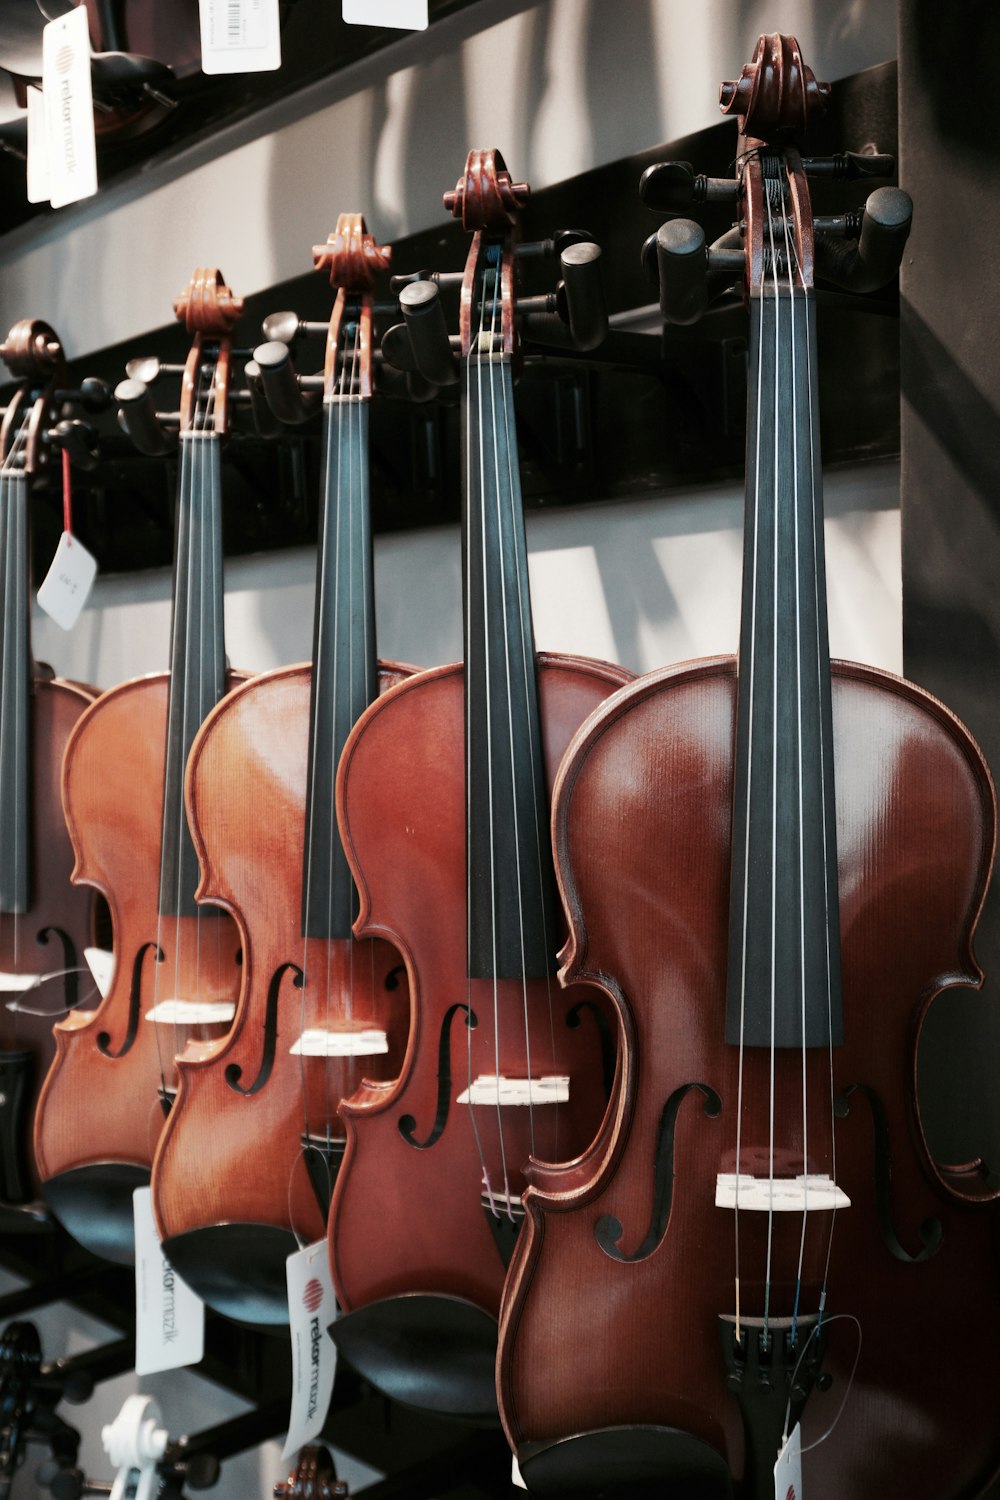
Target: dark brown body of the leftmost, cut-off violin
[49, 940]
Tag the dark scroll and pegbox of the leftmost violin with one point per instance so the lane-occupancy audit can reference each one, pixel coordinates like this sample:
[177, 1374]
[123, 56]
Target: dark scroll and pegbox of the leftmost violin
[40, 416]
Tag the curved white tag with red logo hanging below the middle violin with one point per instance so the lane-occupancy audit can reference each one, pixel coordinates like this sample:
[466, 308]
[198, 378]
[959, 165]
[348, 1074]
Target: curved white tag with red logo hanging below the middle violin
[311, 1312]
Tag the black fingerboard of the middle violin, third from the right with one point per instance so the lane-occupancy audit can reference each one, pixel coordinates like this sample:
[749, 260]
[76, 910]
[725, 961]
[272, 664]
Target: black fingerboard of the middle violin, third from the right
[344, 662]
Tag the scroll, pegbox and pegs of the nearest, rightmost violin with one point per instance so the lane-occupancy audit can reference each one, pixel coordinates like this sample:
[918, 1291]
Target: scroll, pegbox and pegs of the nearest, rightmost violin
[773, 100]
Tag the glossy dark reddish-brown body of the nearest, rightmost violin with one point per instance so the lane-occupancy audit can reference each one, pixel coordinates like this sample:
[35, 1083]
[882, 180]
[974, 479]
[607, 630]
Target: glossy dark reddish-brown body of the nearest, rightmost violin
[591, 1342]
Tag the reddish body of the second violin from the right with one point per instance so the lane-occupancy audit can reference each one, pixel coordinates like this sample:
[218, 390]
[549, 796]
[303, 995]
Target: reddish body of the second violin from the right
[412, 1159]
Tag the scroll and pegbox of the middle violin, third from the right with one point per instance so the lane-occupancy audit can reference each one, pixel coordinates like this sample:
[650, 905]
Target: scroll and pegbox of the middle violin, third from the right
[353, 262]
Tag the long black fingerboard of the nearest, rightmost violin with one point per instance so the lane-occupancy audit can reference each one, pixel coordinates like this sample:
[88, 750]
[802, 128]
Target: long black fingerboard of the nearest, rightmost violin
[785, 923]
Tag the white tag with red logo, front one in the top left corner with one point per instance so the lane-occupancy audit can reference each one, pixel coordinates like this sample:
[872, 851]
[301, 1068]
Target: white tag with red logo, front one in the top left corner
[70, 109]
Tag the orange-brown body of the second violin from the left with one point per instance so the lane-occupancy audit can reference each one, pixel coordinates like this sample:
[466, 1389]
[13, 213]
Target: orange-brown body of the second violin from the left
[101, 1106]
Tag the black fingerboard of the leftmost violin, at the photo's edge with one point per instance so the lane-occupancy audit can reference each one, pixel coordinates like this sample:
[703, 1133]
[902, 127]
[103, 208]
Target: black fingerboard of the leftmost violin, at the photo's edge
[16, 685]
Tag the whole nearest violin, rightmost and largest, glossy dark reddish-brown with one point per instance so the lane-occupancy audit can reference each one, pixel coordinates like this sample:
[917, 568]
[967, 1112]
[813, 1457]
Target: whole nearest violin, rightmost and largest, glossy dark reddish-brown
[773, 866]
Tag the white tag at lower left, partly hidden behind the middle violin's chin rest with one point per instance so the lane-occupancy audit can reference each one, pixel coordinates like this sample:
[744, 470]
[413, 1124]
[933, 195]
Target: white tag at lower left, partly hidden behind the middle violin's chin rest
[170, 1321]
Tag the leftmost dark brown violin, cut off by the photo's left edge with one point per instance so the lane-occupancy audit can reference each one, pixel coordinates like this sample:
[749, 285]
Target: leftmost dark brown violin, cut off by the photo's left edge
[46, 925]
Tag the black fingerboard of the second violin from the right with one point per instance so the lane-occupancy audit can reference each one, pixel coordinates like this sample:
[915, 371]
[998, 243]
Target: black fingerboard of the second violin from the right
[510, 883]
